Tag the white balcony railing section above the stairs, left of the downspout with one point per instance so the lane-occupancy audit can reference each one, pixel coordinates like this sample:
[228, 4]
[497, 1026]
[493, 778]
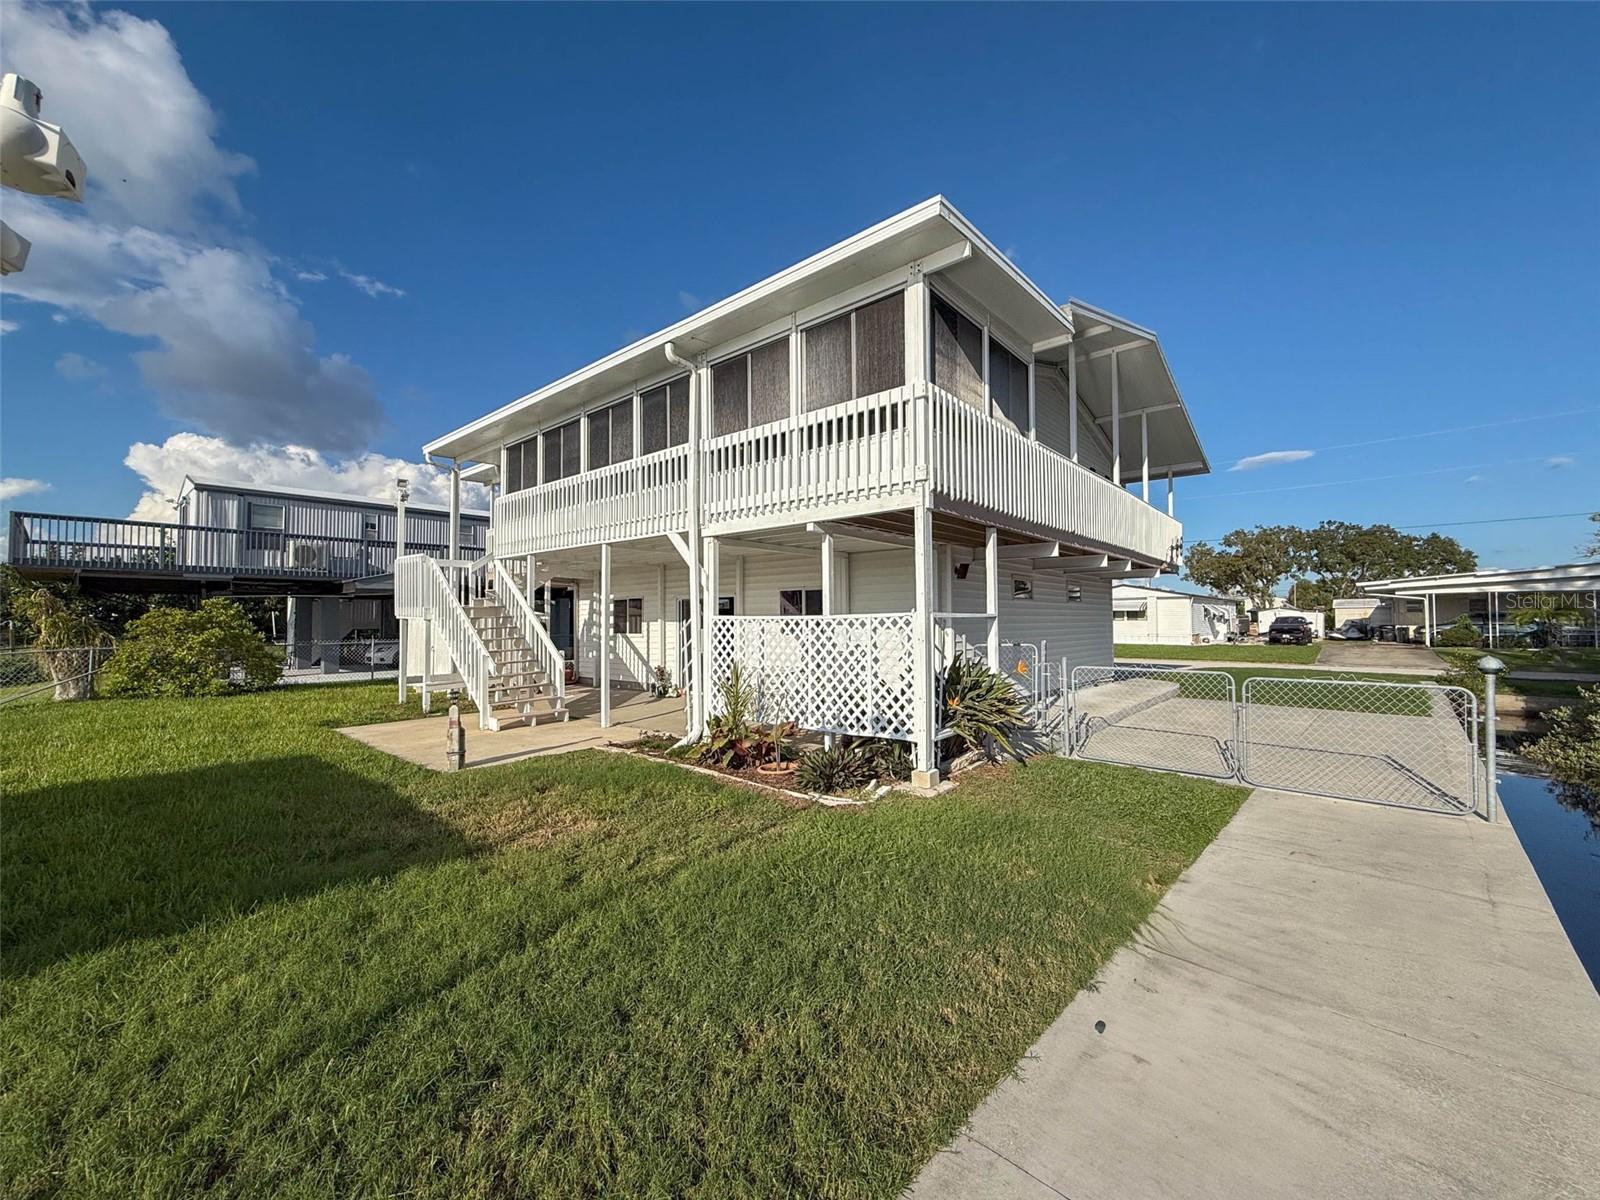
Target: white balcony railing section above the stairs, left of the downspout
[639, 498]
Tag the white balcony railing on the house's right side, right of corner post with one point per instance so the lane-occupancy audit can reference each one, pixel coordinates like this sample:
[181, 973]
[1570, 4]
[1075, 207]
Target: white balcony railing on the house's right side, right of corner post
[980, 463]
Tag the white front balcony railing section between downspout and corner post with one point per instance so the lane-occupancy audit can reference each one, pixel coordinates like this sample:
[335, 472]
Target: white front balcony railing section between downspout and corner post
[865, 450]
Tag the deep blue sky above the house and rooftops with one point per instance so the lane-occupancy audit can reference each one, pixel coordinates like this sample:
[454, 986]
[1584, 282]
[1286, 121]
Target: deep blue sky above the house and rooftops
[1350, 225]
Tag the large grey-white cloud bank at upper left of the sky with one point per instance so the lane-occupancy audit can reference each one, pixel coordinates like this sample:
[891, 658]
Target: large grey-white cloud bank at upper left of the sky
[153, 254]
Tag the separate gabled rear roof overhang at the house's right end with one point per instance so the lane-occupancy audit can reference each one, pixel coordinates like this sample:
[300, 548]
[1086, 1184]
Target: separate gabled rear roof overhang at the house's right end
[1145, 390]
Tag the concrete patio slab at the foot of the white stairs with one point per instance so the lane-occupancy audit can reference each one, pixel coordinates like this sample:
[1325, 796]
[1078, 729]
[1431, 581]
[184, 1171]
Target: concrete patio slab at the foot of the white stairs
[423, 742]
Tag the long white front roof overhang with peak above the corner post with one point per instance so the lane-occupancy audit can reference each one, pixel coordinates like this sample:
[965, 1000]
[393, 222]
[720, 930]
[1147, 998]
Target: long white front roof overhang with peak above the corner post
[932, 233]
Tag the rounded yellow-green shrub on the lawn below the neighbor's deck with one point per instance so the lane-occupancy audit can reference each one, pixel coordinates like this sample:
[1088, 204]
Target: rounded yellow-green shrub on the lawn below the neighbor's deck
[207, 652]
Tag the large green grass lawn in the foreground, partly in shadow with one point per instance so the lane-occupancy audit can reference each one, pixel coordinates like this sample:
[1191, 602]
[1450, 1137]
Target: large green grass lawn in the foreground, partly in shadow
[246, 956]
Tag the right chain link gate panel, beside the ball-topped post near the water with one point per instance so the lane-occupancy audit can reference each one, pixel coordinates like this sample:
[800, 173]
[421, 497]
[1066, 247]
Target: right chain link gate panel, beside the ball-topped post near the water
[1404, 745]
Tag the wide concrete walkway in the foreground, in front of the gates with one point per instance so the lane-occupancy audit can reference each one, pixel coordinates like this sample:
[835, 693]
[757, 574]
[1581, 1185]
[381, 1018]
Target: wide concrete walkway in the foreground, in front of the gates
[1337, 1001]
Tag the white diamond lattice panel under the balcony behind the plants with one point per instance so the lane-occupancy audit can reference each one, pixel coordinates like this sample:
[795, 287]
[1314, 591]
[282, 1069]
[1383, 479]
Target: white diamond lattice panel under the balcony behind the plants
[833, 674]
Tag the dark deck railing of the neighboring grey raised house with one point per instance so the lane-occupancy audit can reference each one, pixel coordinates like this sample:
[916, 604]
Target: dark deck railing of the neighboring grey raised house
[55, 542]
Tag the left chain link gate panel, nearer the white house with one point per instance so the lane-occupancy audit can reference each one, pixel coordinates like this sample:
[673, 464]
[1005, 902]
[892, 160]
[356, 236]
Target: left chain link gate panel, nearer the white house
[1154, 718]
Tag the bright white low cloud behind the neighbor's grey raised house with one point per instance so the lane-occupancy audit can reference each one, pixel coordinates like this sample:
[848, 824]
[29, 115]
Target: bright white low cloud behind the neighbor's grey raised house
[164, 468]
